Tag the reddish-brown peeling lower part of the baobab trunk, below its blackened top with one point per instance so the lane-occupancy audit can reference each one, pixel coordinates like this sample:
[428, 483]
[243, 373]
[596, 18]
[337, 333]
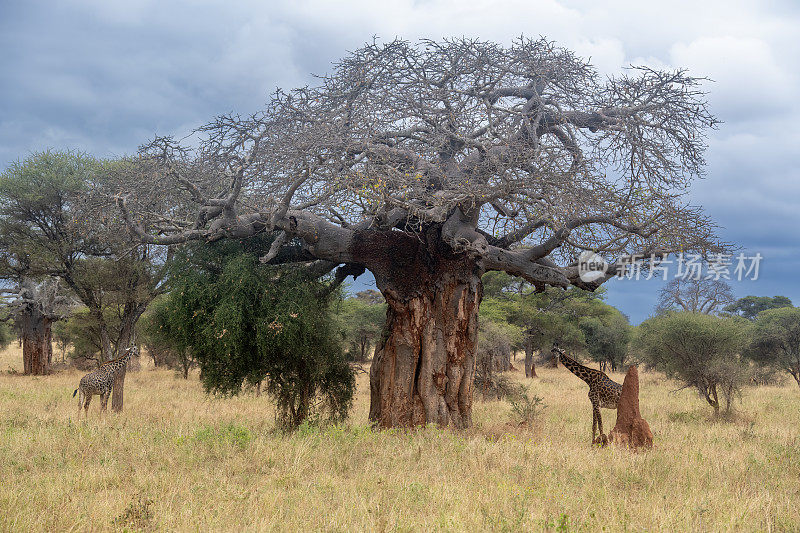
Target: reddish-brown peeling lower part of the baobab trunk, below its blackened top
[424, 366]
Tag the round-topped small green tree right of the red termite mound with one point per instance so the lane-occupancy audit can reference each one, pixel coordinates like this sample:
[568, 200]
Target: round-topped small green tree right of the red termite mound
[700, 350]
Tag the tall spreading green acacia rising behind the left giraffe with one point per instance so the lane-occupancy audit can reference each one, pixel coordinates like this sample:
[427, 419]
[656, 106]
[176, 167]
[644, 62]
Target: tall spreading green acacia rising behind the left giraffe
[58, 218]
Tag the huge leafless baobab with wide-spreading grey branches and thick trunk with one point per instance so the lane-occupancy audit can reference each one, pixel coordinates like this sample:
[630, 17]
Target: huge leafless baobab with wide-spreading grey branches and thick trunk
[429, 164]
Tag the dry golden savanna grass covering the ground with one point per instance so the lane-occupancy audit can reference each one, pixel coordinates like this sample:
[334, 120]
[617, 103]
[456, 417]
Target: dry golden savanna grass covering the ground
[177, 459]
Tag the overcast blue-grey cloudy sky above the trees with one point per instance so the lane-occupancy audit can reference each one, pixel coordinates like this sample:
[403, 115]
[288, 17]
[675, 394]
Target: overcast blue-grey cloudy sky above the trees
[104, 76]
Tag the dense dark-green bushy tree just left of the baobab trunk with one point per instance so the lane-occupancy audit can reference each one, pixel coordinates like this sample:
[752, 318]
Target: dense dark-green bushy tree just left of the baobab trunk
[247, 323]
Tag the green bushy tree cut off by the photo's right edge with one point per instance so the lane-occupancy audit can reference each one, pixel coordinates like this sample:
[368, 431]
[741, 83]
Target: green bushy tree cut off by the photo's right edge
[776, 340]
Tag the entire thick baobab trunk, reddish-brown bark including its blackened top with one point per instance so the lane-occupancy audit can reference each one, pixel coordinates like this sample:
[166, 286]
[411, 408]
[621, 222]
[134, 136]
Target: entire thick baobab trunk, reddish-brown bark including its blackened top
[424, 363]
